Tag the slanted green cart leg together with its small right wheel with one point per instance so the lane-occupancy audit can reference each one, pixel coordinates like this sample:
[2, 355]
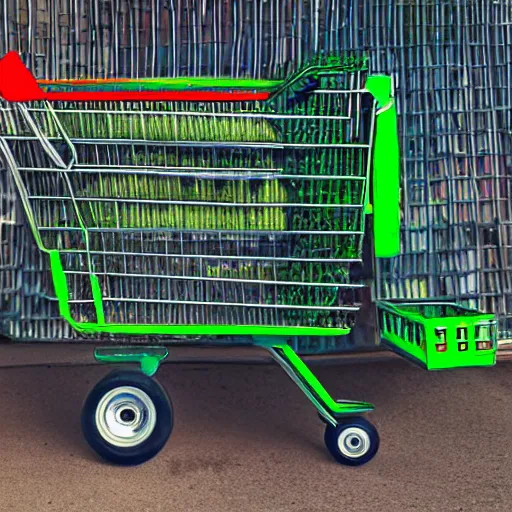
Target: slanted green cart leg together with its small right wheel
[351, 441]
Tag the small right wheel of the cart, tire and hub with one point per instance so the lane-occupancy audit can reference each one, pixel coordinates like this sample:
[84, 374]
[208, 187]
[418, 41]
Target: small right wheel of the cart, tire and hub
[352, 442]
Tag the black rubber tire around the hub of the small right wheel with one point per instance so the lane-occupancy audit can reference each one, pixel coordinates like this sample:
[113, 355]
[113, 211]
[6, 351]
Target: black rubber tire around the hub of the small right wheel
[331, 441]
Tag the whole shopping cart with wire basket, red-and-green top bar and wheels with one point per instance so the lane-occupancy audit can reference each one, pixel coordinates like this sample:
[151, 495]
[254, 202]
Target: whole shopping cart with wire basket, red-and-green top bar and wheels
[193, 206]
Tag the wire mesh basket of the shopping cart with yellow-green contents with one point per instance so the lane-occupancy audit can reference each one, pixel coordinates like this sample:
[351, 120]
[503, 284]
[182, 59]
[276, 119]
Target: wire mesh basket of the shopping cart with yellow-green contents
[202, 214]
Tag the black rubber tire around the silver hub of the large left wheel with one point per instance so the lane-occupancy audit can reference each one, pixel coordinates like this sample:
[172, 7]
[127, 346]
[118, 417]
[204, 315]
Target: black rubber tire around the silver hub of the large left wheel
[128, 456]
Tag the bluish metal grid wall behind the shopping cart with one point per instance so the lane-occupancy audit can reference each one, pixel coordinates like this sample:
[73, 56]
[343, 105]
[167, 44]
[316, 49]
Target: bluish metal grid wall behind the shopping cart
[452, 68]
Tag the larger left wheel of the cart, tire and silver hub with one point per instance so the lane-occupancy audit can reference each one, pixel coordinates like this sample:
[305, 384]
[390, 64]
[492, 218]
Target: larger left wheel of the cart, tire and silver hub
[127, 418]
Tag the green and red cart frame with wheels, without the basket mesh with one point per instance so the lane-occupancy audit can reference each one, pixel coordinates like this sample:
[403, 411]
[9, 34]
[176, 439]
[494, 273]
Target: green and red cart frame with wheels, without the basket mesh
[351, 441]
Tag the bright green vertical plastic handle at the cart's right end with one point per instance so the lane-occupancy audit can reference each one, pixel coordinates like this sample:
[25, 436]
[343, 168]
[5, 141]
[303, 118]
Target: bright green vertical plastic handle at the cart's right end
[386, 169]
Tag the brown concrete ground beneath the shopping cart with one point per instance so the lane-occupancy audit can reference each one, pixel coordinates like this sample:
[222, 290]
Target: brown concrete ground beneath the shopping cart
[245, 440]
